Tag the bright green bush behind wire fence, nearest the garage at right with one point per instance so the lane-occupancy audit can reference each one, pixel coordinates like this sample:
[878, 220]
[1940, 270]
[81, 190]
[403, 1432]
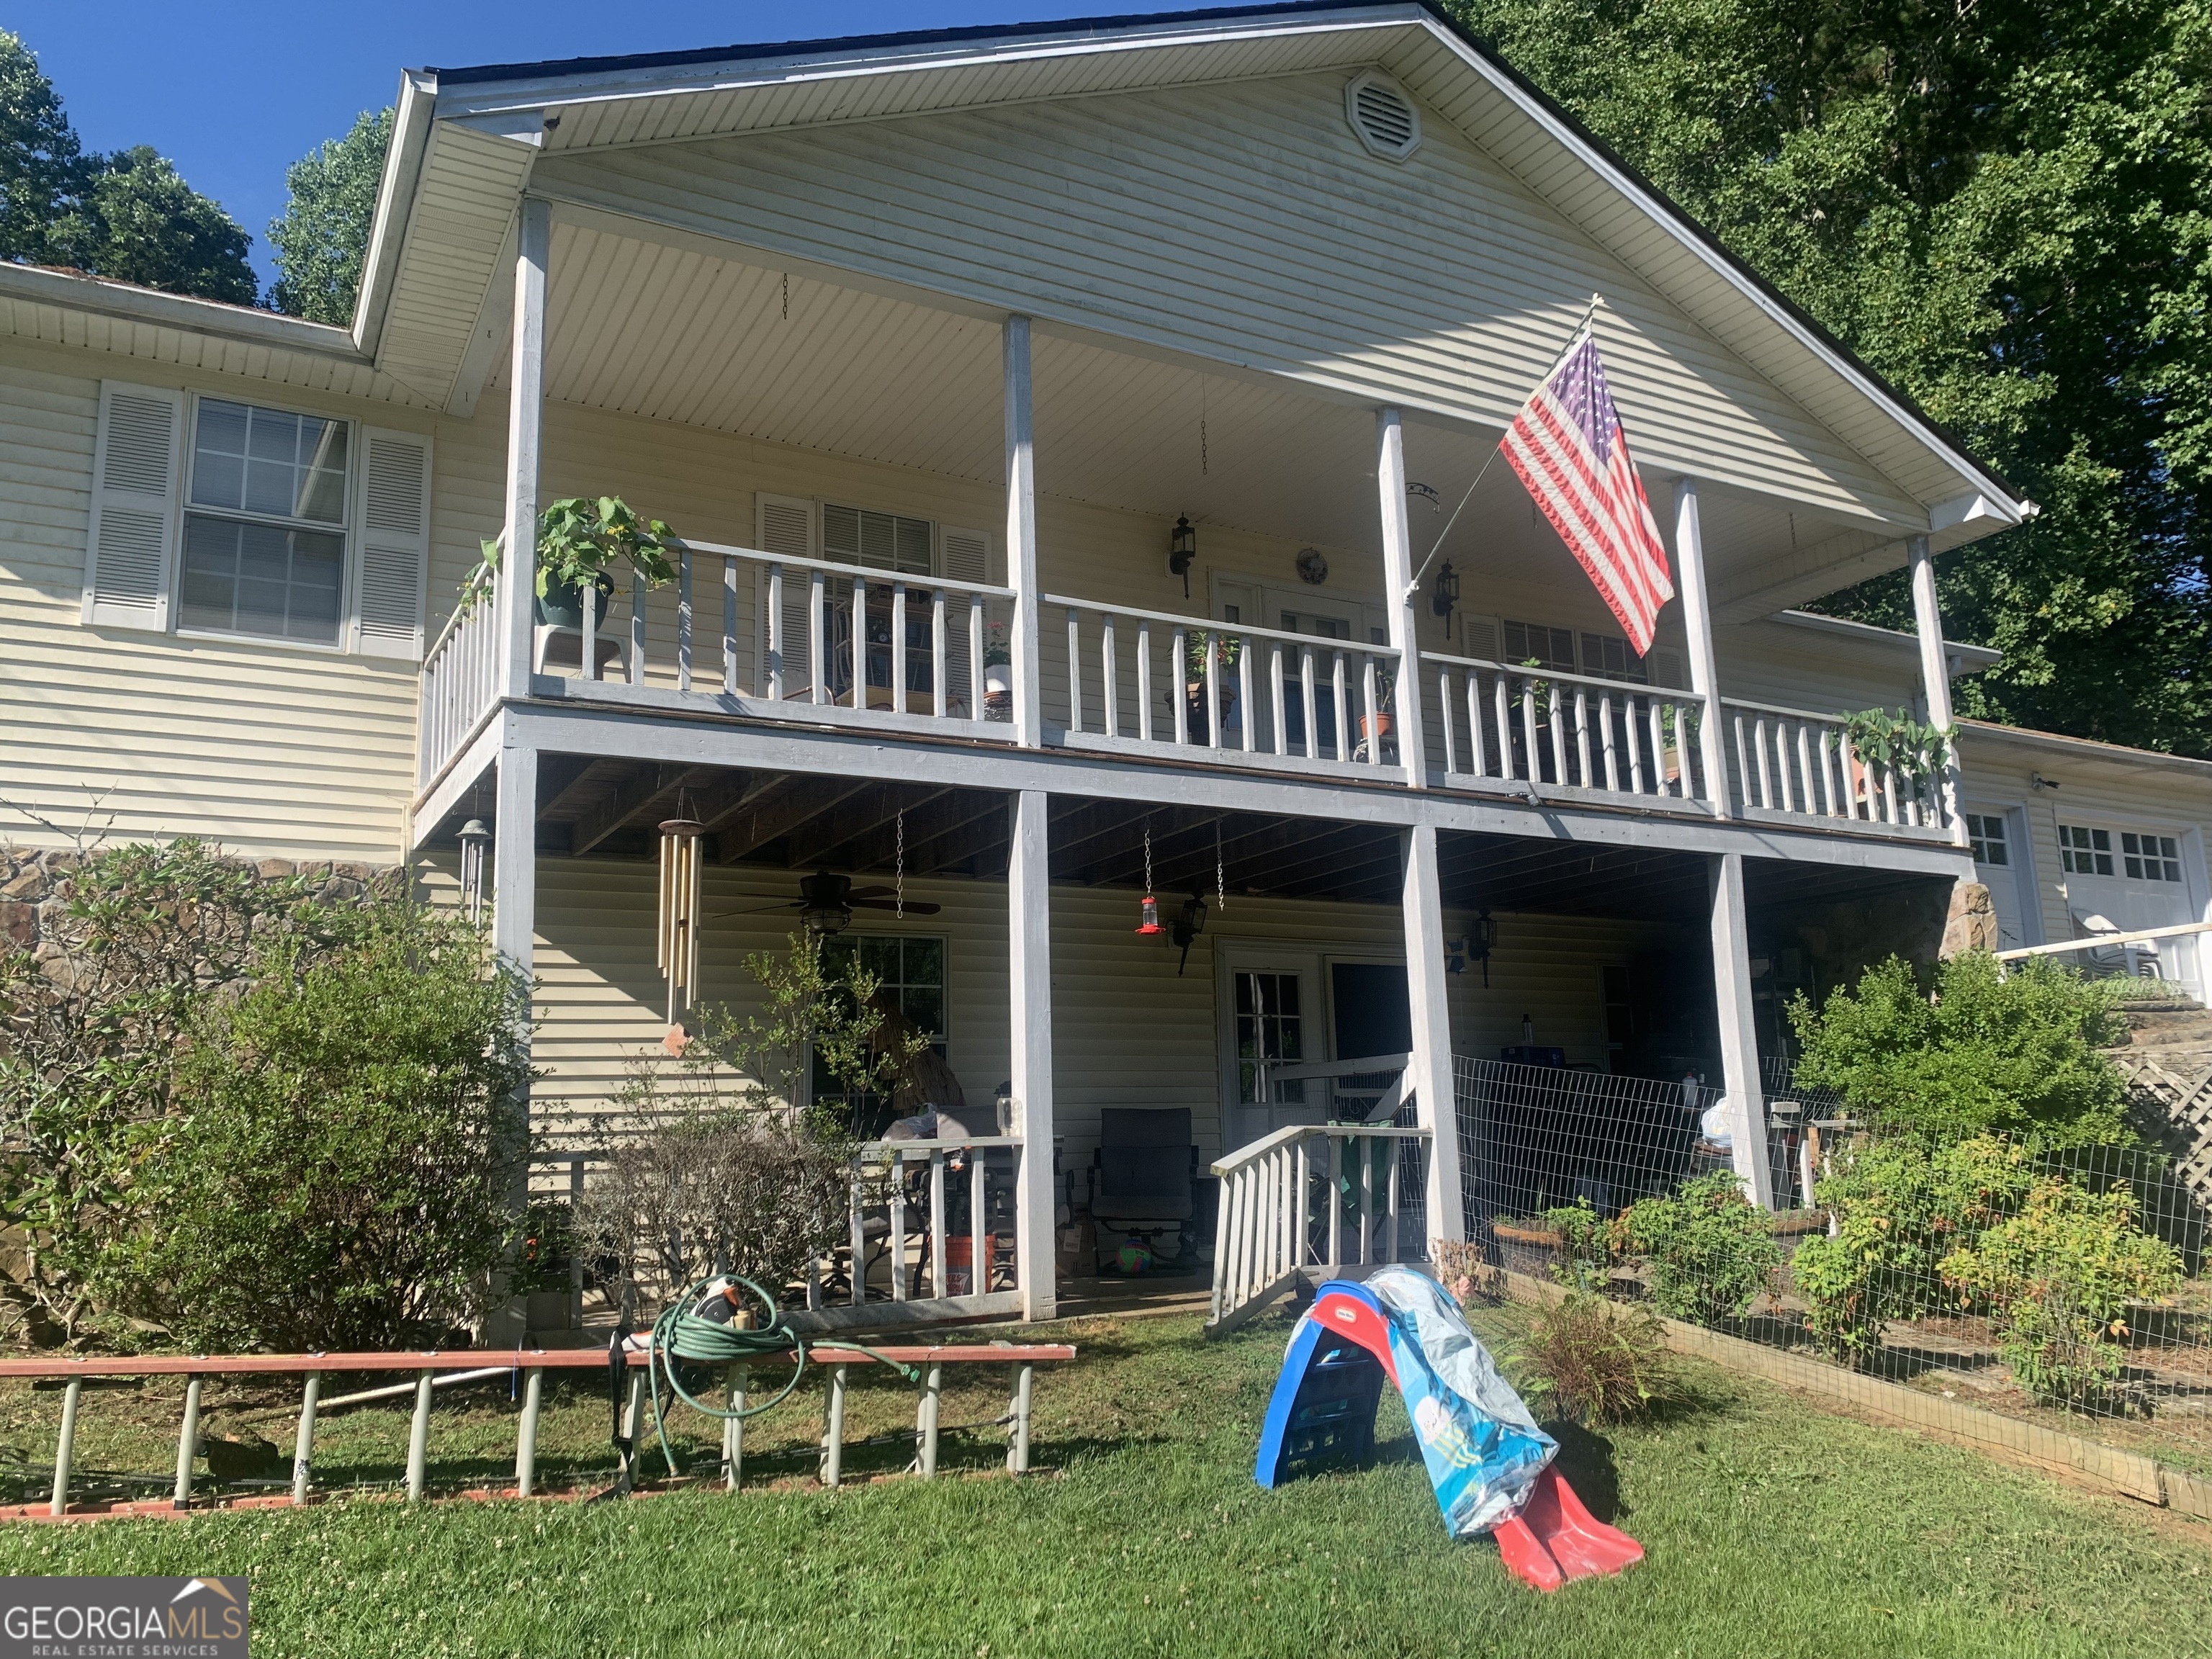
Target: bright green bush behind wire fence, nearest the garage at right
[1981, 1054]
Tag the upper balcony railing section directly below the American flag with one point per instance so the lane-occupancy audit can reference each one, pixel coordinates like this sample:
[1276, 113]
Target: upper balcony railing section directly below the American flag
[1567, 731]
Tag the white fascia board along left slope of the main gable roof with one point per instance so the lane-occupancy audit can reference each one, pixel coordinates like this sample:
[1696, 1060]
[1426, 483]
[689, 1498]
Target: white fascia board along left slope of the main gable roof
[614, 85]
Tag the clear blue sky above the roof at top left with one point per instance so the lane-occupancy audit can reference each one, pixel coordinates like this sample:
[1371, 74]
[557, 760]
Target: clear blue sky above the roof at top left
[236, 94]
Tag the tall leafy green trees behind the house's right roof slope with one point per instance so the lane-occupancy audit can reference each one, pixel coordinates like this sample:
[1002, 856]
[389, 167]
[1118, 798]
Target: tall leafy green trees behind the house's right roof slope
[2005, 209]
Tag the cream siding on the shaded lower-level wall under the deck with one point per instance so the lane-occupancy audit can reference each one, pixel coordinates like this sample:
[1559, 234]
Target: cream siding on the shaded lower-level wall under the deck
[1127, 1032]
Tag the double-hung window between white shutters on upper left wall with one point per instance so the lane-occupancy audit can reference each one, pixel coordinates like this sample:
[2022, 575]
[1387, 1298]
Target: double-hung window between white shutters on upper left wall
[264, 528]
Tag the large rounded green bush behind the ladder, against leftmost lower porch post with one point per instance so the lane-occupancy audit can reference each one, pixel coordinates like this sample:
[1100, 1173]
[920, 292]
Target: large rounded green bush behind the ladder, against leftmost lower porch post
[342, 1149]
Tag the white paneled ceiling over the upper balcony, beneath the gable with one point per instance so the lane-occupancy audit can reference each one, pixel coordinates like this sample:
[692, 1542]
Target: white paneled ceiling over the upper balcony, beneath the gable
[674, 333]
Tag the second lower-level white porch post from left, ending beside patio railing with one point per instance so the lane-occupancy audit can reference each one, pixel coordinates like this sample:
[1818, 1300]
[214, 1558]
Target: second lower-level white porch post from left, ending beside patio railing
[1030, 1016]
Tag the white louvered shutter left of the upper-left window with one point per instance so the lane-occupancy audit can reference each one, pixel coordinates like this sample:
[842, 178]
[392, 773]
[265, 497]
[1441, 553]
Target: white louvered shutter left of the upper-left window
[136, 483]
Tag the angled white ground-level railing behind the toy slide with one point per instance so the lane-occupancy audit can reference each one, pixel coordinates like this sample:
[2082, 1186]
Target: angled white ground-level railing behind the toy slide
[1271, 1233]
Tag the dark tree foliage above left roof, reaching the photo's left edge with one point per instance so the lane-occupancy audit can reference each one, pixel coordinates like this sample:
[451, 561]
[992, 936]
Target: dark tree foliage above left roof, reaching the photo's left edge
[125, 216]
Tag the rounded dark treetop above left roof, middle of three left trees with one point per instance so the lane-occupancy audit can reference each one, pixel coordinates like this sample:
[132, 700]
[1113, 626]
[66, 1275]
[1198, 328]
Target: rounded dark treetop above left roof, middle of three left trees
[140, 222]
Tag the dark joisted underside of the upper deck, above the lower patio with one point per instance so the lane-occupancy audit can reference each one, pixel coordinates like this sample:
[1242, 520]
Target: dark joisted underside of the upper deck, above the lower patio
[804, 822]
